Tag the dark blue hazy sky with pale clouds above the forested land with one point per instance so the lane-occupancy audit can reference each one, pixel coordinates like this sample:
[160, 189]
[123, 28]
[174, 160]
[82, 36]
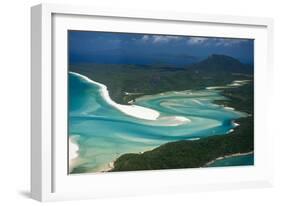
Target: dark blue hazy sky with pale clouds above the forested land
[125, 48]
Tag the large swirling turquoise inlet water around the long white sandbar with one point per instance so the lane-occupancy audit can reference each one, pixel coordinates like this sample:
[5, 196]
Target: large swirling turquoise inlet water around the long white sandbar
[103, 132]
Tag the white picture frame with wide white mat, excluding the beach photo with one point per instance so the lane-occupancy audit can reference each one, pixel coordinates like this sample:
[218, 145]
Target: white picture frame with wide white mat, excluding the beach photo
[49, 178]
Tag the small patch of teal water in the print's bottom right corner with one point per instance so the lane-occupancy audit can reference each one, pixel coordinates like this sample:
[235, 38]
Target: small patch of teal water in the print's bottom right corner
[234, 161]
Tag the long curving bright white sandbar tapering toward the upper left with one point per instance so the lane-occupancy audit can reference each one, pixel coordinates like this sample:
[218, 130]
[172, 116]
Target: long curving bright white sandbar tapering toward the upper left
[131, 110]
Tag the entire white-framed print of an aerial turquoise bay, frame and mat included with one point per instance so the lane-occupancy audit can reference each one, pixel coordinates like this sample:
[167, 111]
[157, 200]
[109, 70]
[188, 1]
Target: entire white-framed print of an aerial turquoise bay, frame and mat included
[133, 102]
